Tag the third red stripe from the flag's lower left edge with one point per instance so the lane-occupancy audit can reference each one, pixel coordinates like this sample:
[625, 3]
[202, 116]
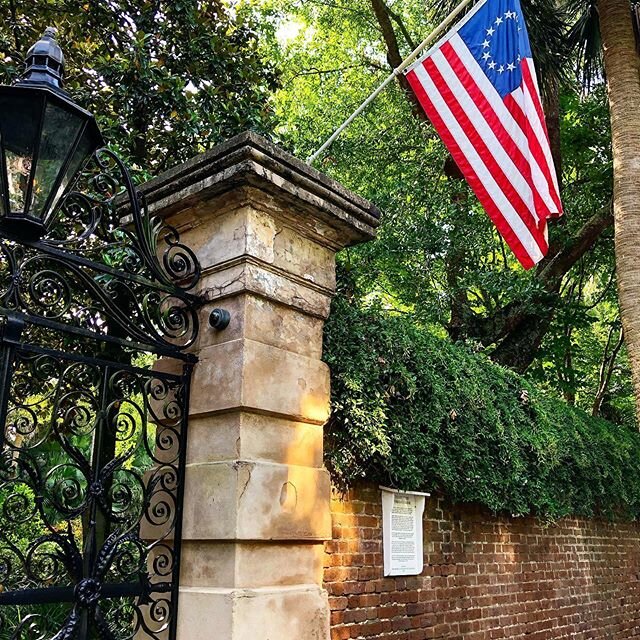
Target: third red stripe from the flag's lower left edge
[496, 124]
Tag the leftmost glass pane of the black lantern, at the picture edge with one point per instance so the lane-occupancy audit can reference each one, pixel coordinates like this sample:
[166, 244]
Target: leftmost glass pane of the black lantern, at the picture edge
[20, 117]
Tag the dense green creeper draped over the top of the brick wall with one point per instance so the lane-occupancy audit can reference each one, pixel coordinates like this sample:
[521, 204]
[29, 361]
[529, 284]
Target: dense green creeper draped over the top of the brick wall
[415, 411]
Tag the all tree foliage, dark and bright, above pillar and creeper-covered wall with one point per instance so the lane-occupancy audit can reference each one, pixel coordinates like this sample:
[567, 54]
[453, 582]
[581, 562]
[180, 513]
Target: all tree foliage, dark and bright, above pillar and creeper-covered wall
[168, 80]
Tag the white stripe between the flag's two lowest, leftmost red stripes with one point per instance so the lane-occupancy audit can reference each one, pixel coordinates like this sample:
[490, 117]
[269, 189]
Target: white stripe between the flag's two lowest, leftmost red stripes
[497, 195]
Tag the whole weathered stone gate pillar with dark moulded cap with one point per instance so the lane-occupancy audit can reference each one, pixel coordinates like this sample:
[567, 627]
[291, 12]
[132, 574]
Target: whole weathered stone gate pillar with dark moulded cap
[266, 228]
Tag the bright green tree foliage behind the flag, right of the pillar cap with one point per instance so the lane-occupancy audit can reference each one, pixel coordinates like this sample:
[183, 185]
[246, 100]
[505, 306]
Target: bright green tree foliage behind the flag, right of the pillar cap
[437, 255]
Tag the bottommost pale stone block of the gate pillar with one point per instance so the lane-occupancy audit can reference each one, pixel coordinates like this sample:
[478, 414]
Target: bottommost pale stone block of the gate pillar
[282, 613]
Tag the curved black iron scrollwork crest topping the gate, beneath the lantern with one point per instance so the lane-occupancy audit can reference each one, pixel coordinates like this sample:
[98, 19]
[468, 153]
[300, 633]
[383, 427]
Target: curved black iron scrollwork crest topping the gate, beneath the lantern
[105, 268]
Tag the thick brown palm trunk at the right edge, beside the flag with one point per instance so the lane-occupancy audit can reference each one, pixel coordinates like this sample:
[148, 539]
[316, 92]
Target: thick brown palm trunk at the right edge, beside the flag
[622, 67]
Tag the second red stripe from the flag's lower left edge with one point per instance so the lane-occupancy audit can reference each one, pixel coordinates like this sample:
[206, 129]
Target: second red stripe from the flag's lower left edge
[484, 152]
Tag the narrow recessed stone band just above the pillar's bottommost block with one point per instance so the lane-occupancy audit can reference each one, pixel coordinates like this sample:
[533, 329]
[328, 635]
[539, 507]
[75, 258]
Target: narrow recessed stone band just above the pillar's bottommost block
[250, 564]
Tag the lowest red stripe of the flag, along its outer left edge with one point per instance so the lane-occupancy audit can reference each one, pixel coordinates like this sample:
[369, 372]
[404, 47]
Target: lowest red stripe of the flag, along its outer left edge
[476, 184]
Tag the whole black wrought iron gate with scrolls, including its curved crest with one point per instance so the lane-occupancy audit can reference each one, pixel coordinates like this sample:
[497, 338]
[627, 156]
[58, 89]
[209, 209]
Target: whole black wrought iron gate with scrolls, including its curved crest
[93, 436]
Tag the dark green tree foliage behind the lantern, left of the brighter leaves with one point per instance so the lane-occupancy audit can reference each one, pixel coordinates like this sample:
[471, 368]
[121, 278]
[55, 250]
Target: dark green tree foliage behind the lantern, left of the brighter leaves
[166, 80]
